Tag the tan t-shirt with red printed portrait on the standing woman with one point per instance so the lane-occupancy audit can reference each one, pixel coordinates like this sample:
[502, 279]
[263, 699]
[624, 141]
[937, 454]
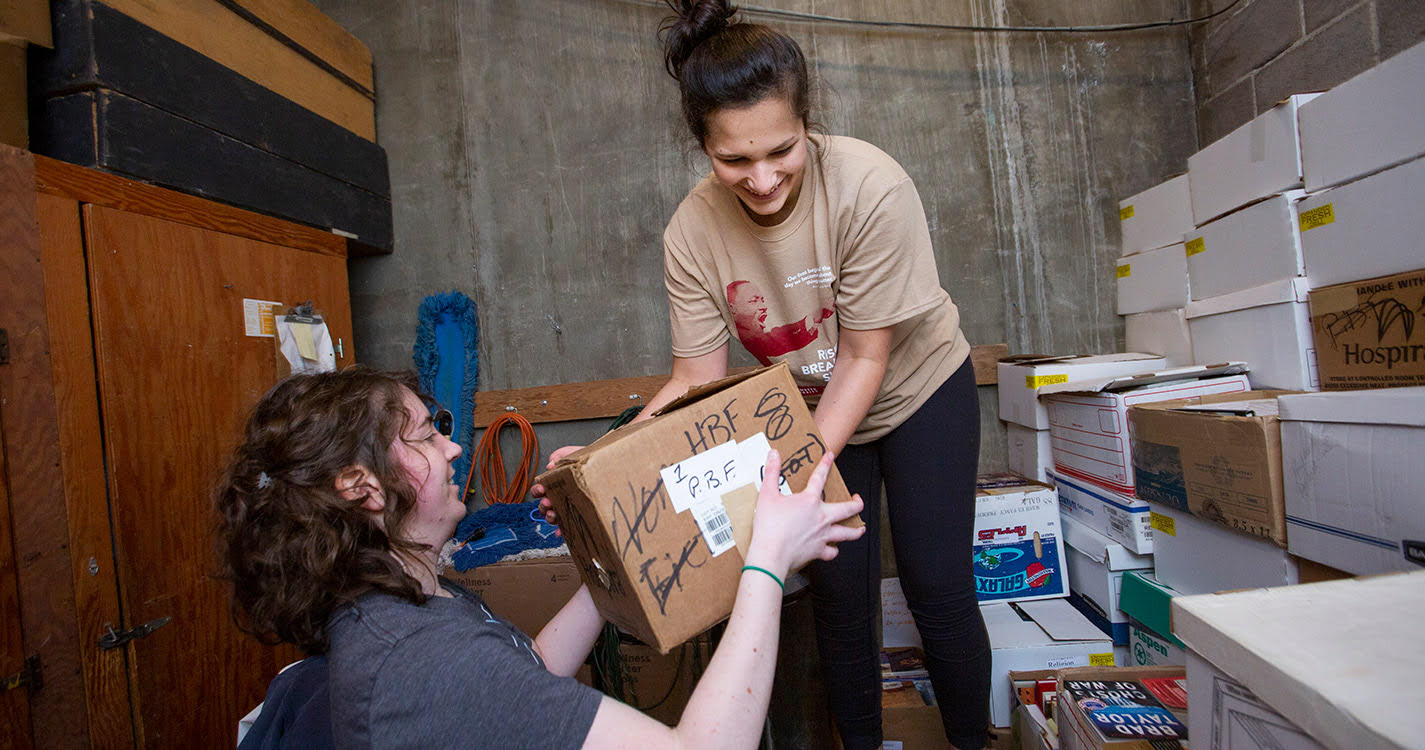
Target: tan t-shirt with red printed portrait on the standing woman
[856, 253]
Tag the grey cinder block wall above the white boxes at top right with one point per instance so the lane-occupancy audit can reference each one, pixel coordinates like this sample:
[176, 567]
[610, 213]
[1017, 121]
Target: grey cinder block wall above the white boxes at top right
[1262, 52]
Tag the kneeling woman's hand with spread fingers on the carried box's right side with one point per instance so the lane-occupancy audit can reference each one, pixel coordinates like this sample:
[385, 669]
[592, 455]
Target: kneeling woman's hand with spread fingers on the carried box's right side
[790, 531]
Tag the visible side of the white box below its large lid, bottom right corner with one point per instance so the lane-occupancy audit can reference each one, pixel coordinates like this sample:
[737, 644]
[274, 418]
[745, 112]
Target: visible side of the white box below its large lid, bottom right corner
[1233, 718]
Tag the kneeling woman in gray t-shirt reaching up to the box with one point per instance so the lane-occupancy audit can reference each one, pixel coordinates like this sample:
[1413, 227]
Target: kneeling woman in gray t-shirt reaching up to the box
[334, 513]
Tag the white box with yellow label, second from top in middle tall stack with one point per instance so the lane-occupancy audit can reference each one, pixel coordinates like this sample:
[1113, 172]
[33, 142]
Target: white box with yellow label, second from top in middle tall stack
[1250, 247]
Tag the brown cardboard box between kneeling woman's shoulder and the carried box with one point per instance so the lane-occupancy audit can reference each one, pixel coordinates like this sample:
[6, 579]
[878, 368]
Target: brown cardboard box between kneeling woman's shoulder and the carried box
[528, 594]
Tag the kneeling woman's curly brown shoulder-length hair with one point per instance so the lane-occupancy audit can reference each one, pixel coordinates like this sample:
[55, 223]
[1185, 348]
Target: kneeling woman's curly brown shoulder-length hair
[293, 548]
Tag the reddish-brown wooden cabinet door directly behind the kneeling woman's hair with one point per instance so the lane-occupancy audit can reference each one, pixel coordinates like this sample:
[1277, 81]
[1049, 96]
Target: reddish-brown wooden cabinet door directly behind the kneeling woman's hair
[177, 376]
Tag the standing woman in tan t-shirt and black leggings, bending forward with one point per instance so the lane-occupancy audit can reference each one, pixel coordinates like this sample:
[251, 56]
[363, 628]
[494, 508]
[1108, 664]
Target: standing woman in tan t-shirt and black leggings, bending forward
[814, 250]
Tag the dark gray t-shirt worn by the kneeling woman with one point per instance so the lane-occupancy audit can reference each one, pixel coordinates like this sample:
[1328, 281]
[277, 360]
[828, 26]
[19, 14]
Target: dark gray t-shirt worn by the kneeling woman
[448, 674]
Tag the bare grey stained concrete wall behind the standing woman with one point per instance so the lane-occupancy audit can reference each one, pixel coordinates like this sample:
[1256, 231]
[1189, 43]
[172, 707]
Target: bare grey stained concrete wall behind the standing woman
[537, 153]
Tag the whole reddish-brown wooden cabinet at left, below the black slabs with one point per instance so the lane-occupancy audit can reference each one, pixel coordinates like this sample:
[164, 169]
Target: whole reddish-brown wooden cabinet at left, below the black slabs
[128, 377]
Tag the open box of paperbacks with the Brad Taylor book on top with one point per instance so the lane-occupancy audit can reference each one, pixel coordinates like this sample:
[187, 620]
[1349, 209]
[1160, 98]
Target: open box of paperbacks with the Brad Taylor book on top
[1148, 722]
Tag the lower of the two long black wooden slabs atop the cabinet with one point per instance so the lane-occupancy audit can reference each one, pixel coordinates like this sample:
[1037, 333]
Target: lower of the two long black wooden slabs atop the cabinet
[122, 135]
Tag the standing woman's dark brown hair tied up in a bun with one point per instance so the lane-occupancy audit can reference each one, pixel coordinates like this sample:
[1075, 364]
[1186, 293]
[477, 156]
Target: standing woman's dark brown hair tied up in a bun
[725, 63]
